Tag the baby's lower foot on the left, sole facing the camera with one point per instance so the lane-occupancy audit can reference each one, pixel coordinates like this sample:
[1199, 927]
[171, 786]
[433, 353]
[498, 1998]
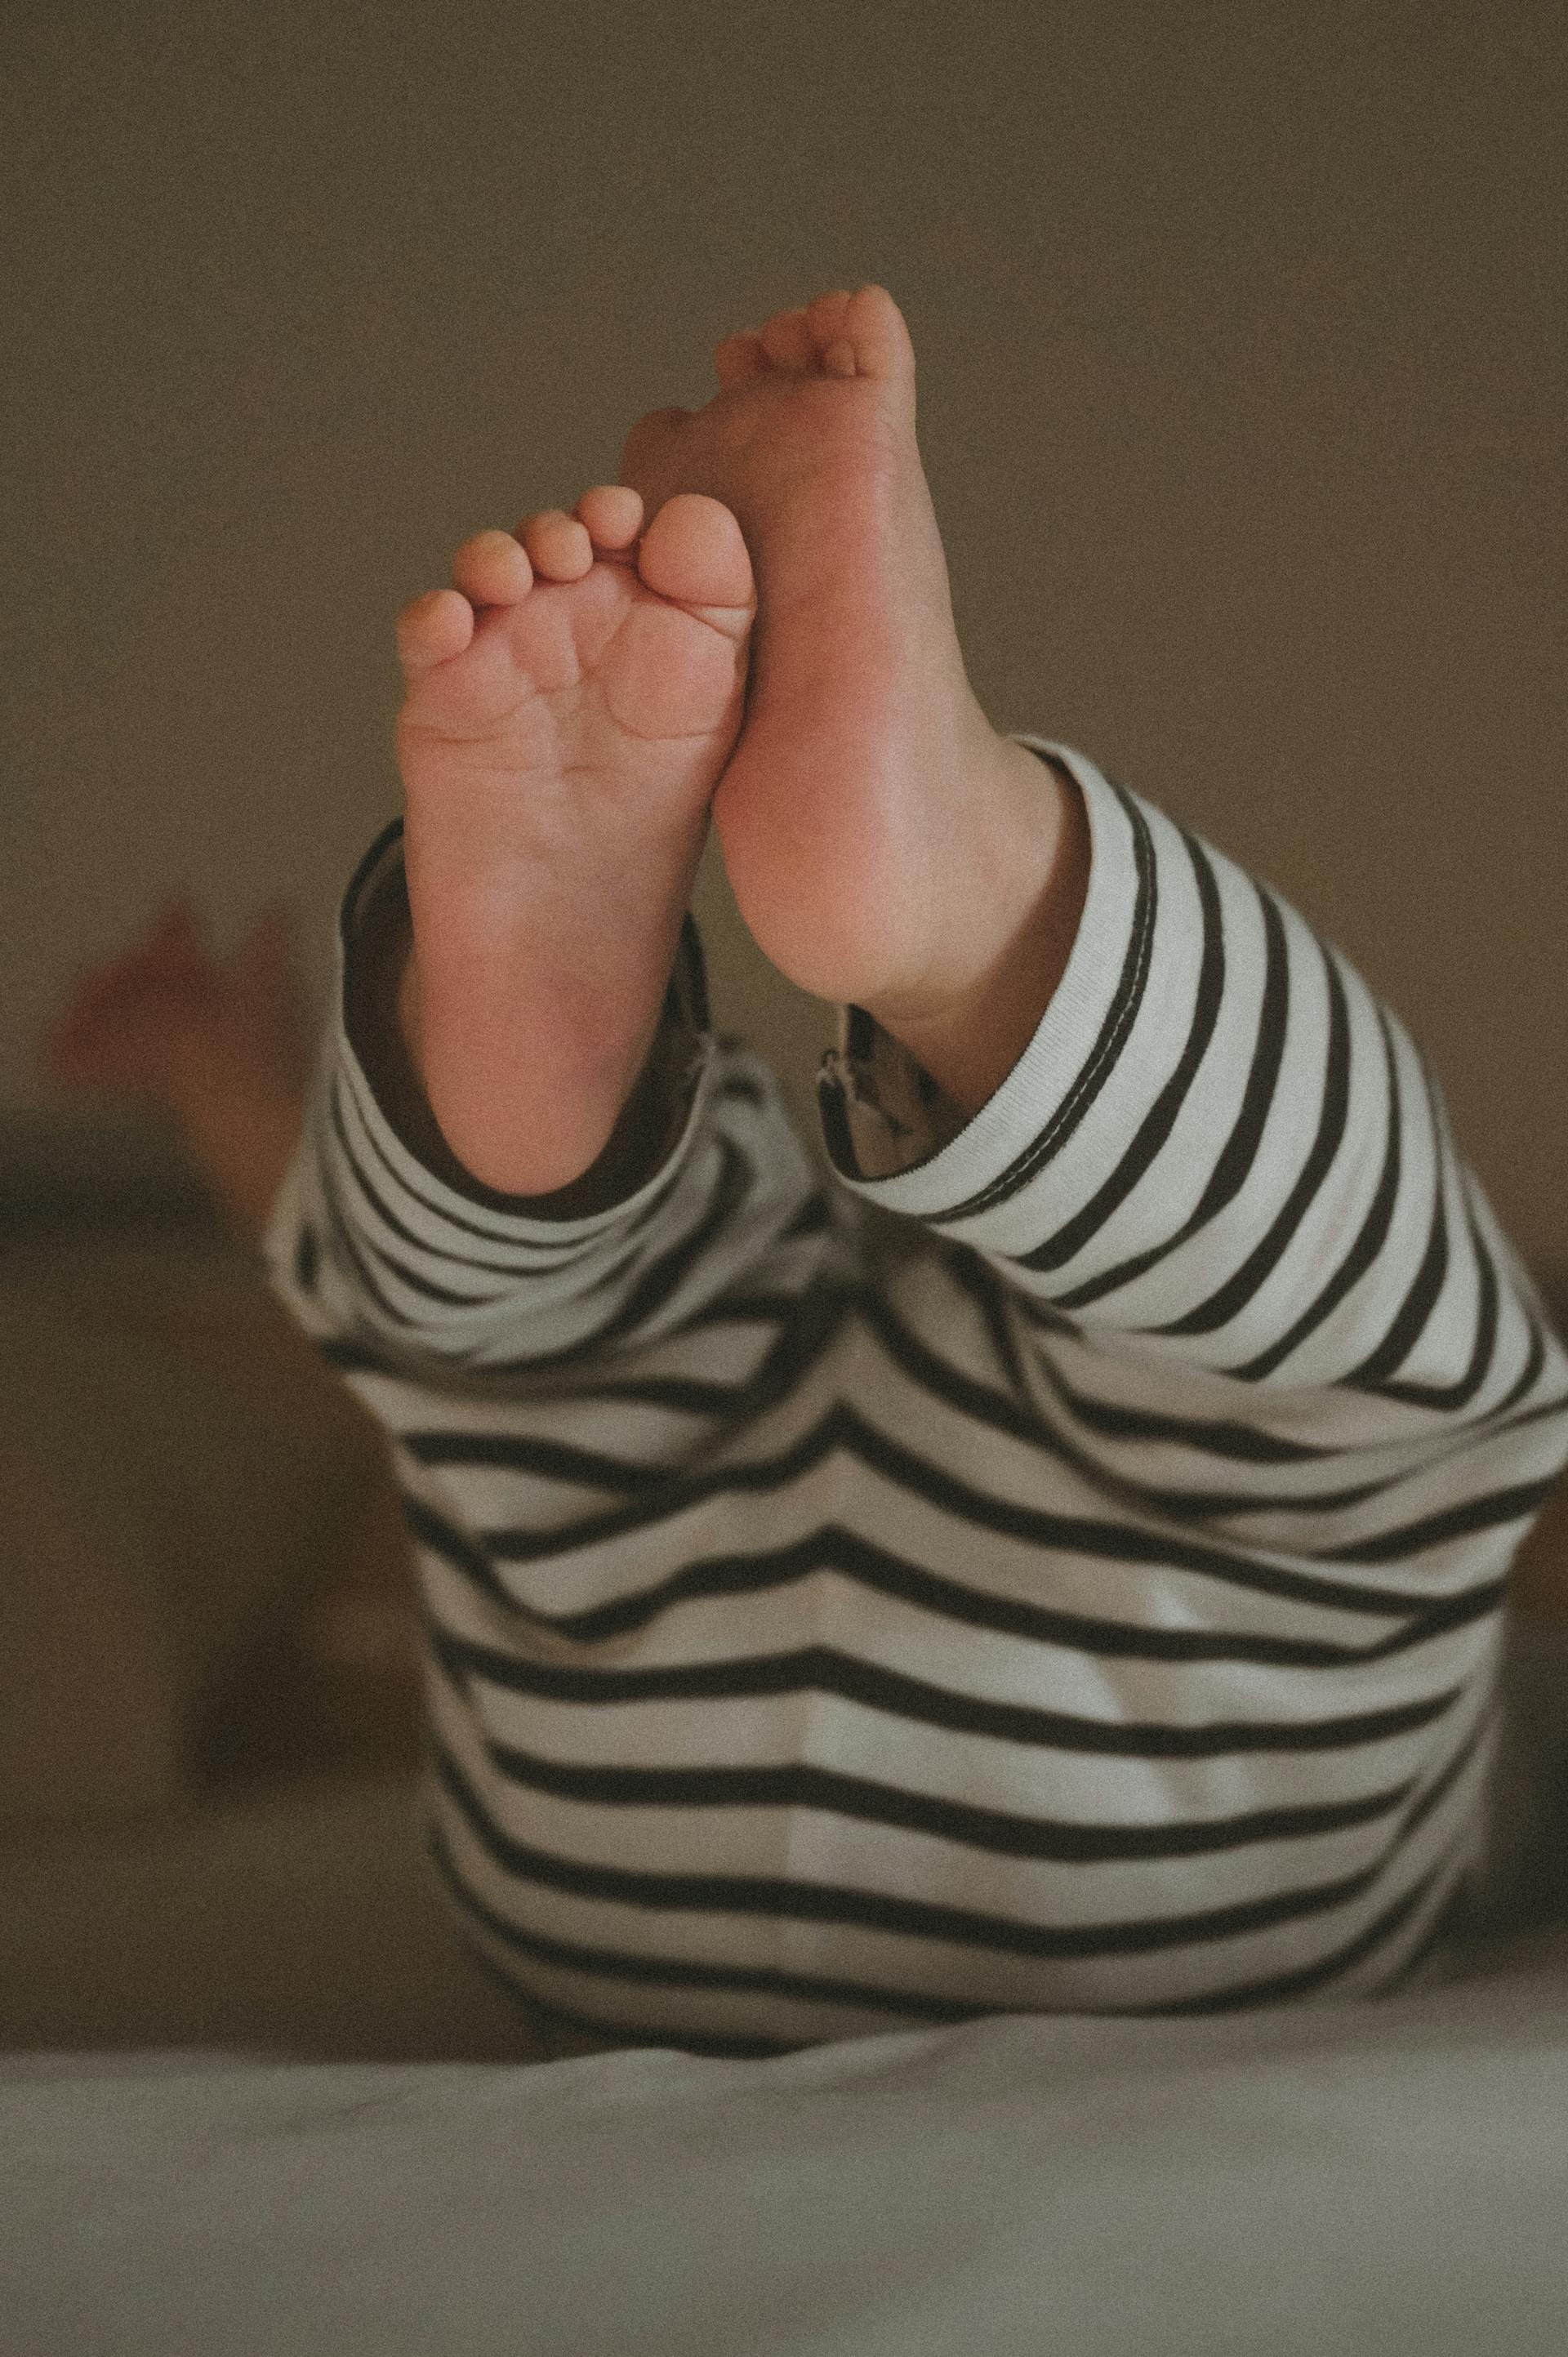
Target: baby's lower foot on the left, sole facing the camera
[572, 704]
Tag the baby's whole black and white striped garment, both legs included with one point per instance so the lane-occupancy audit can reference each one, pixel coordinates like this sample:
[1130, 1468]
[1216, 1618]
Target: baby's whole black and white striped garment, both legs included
[1076, 1595]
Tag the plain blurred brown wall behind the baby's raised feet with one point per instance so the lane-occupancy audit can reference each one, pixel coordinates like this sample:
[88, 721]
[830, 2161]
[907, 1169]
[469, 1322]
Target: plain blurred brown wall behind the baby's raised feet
[1241, 392]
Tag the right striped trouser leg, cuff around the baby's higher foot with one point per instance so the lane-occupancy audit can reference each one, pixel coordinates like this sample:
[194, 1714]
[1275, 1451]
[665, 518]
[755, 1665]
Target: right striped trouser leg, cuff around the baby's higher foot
[1232, 1255]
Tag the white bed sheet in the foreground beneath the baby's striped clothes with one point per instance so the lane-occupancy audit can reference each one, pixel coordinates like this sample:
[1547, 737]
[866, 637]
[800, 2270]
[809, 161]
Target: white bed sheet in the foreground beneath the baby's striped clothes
[1385, 2179]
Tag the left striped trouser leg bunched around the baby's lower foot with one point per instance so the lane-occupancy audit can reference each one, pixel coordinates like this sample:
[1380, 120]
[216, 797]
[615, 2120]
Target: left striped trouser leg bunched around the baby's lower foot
[393, 1269]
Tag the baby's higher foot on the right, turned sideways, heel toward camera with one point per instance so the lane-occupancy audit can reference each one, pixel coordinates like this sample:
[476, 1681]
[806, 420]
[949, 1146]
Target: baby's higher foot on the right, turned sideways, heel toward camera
[871, 817]
